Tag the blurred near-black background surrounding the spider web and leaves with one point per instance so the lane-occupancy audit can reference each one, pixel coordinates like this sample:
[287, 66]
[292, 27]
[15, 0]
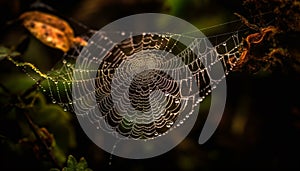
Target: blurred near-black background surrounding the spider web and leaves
[260, 127]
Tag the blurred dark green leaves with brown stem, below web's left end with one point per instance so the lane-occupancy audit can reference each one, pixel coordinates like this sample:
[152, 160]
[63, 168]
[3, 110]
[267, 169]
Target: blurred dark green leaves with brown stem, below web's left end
[46, 127]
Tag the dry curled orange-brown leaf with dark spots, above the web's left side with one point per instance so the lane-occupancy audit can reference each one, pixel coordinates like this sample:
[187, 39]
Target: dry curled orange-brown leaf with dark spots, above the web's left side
[51, 30]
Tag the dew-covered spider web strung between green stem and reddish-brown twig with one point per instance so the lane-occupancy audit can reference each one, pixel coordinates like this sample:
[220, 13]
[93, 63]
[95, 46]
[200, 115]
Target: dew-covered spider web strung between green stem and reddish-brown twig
[156, 98]
